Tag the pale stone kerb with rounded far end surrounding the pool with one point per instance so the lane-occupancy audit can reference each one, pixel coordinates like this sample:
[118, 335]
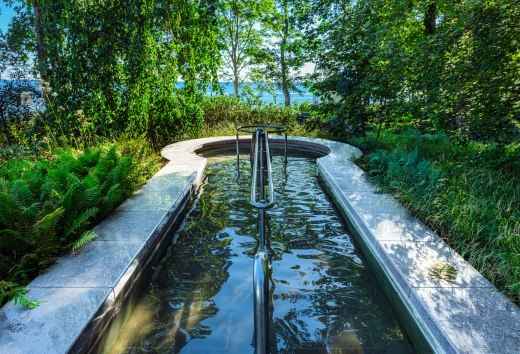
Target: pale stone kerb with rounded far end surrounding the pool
[87, 302]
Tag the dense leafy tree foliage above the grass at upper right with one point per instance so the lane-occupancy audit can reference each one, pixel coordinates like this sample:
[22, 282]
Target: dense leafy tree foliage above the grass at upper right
[437, 65]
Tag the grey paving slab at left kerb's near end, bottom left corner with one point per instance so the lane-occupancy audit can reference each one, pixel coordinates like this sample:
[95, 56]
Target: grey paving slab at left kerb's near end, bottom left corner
[53, 326]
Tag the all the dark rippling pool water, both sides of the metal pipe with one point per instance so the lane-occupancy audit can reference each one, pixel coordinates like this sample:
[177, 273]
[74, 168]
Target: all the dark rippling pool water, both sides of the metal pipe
[324, 298]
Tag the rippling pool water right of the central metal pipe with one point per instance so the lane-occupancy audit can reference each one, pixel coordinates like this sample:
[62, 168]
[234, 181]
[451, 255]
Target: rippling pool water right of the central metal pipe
[334, 305]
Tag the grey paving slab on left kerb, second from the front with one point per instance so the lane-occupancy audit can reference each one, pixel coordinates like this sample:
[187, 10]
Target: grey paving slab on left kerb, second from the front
[98, 264]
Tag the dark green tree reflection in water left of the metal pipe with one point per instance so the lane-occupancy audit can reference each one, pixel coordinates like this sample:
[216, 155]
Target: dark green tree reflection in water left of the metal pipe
[195, 272]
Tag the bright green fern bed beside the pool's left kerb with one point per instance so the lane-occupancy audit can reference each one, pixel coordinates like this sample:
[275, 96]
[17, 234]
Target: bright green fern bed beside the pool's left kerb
[47, 204]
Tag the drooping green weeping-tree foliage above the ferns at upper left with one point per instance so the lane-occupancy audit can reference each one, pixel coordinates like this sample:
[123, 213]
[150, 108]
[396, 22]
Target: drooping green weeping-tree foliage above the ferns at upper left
[110, 67]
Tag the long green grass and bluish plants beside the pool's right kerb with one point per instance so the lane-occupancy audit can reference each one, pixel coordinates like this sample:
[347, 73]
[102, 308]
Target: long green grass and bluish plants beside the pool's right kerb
[470, 195]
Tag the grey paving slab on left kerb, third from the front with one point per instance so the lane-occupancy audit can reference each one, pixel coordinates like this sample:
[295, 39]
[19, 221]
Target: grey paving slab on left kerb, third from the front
[128, 225]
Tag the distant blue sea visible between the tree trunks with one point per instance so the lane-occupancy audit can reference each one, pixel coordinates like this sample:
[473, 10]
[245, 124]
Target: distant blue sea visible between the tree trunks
[296, 97]
